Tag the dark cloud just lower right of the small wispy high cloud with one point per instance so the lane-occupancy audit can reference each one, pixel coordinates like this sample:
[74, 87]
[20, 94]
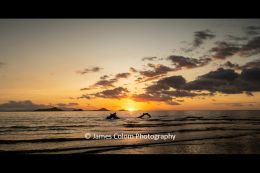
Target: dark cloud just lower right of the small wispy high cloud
[224, 50]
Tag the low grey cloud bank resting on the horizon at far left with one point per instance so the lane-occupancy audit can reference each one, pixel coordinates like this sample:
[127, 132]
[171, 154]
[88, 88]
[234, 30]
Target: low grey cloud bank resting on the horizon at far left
[25, 105]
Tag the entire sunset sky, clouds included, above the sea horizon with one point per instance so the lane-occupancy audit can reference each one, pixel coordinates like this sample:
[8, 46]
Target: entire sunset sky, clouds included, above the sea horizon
[132, 64]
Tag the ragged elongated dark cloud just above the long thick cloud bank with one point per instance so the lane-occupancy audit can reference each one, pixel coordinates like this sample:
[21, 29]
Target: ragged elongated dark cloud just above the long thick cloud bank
[181, 61]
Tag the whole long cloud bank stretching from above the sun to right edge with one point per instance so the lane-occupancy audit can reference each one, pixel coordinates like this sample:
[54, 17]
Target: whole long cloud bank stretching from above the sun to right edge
[225, 81]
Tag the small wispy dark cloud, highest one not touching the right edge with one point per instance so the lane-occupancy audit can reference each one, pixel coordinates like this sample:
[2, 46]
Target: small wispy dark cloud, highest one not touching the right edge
[201, 36]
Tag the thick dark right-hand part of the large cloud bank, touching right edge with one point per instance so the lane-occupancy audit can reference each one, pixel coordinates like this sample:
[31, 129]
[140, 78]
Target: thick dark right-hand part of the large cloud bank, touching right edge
[227, 81]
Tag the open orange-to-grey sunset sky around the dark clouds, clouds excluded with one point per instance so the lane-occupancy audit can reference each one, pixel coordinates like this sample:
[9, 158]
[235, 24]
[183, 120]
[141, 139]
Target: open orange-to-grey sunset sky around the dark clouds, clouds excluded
[43, 60]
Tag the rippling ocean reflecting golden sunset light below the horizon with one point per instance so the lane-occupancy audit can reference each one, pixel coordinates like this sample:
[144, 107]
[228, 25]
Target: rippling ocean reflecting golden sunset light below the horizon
[166, 132]
